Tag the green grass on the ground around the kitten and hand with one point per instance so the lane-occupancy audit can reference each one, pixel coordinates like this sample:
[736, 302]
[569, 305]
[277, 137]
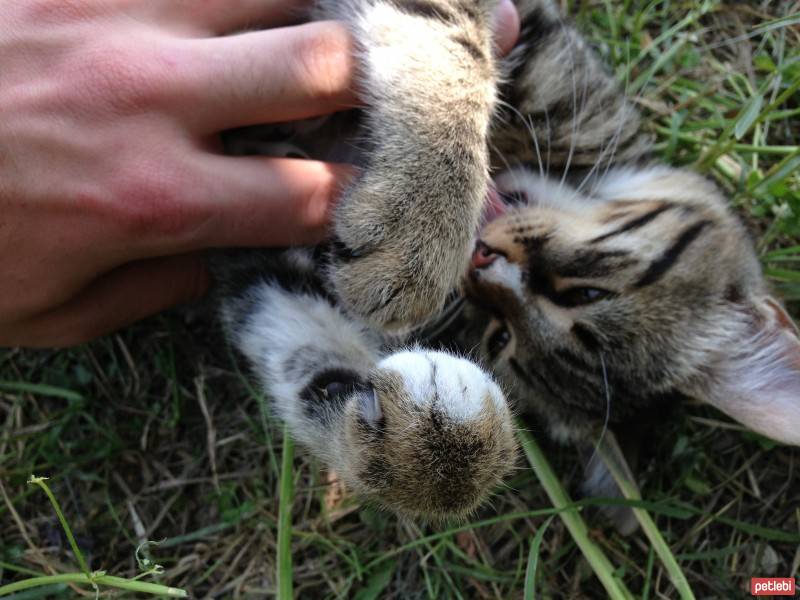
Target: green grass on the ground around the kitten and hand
[128, 427]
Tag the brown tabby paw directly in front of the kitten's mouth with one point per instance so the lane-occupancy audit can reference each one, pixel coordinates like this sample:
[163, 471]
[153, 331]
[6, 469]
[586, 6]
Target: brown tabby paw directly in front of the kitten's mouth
[394, 263]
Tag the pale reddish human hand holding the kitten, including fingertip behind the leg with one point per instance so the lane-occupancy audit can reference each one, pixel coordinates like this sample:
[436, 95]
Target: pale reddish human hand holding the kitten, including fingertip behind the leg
[111, 180]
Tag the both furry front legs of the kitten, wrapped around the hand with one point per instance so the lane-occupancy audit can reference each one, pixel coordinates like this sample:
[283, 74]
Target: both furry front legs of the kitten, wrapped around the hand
[426, 434]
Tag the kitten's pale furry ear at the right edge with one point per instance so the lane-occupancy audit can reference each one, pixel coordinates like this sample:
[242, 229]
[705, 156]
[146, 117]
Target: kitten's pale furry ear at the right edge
[757, 380]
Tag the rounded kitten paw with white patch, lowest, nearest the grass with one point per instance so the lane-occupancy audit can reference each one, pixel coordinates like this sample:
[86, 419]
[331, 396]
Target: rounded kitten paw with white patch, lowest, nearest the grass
[430, 437]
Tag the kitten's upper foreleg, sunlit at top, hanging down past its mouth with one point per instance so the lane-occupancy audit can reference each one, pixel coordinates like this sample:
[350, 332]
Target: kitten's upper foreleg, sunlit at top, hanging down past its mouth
[428, 76]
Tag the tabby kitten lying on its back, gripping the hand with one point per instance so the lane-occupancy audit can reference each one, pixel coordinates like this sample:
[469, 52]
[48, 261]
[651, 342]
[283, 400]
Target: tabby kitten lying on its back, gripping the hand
[598, 286]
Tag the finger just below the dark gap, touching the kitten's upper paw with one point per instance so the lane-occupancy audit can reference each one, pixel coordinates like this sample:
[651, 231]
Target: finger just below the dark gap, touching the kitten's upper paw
[248, 201]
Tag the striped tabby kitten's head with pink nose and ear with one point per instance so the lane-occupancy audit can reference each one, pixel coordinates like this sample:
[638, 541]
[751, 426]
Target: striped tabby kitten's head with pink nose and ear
[607, 301]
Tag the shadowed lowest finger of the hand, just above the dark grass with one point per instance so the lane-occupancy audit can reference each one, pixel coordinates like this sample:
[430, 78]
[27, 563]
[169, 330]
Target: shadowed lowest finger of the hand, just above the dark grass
[121, 297]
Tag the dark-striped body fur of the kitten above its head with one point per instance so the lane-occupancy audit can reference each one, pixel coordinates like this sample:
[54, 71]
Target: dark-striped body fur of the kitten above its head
[562, 111]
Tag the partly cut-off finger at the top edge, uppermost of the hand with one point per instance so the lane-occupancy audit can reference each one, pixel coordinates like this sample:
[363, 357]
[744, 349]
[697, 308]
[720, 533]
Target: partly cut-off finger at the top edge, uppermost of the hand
[225, 16]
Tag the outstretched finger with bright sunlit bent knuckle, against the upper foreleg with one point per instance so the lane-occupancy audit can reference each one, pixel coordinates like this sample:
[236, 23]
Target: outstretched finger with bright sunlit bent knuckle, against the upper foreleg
[268, 76]
